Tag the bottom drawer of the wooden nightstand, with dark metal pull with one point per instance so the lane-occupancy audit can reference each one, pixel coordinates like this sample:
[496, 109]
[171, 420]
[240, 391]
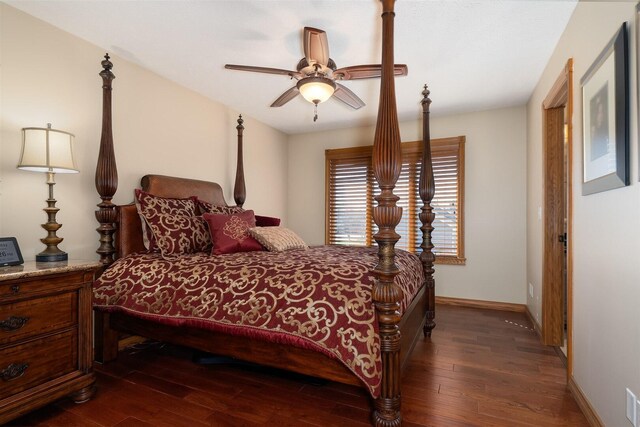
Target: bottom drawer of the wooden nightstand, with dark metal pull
[26, 365]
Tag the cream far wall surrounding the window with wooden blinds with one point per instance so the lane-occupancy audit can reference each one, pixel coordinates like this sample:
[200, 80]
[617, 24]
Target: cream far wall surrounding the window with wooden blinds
[495, 176]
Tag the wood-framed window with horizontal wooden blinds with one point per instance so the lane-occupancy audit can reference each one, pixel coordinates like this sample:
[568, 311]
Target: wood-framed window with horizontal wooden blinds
[351, 188]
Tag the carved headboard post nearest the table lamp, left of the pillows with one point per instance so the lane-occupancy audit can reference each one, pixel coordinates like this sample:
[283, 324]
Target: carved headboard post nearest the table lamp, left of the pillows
[106, 171]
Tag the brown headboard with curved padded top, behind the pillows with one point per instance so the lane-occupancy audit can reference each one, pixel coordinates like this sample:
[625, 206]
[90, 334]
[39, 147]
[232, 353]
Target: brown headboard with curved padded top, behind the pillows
[128, 236]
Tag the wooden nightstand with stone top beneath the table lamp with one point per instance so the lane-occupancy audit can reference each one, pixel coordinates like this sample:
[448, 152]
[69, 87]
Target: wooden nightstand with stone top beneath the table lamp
[45, 335]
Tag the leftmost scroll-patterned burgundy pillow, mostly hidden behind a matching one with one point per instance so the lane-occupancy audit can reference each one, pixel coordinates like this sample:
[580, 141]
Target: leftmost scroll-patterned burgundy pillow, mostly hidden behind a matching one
[149, 206]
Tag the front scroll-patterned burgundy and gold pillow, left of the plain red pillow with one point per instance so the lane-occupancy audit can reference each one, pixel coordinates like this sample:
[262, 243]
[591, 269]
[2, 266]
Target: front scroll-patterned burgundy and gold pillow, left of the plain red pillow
[178, 235]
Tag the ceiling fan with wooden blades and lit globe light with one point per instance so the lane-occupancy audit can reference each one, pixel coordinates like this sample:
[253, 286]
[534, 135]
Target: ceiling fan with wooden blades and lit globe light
[317, 74]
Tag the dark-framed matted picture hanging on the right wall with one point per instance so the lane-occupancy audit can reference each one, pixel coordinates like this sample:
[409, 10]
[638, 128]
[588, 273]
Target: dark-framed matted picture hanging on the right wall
[605, 118]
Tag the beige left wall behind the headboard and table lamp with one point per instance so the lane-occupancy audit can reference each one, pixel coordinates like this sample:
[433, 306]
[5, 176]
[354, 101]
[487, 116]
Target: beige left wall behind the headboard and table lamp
[48, 75]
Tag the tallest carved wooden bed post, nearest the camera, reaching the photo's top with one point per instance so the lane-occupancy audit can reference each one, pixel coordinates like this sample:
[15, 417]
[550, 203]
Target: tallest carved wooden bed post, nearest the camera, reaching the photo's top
[387, 164]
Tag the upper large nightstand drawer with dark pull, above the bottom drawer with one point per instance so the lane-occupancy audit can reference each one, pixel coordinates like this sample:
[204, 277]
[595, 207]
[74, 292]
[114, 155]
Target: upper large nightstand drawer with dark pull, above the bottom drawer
[37, 316]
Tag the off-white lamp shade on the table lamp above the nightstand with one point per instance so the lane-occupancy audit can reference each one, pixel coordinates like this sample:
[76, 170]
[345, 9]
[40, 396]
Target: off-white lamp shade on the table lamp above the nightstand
[47, 150]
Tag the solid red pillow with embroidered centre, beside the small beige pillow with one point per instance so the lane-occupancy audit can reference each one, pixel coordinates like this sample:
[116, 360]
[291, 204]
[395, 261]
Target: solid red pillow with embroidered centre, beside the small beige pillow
[230, 233]
